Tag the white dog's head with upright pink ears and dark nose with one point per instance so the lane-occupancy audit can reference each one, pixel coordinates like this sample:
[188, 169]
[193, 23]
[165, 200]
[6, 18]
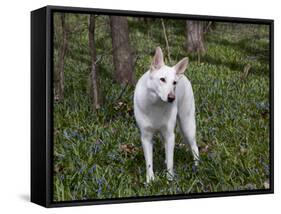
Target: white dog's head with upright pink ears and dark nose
[163, 79]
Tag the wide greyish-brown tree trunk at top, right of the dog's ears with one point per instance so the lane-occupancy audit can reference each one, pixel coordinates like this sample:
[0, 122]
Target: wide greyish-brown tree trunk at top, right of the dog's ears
[195, 37]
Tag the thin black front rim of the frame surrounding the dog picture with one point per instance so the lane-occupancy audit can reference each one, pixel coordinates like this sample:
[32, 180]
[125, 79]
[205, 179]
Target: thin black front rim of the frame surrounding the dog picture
[49, 104]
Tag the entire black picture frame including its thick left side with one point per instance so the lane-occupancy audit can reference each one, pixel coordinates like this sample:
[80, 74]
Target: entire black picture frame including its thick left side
[42, 101]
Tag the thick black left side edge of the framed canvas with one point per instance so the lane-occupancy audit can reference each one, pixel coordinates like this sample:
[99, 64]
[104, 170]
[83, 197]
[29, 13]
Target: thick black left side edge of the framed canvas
[38, 105]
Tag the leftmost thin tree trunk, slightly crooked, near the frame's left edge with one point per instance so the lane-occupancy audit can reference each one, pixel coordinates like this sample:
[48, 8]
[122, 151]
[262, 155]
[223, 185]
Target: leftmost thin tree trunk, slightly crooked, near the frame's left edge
[61, 58]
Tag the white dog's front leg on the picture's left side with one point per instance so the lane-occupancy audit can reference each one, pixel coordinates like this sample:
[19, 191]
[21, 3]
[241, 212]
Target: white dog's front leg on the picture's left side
[146, 139]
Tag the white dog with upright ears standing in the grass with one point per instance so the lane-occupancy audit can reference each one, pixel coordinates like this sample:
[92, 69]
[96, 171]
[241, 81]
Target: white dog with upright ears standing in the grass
[162, 95]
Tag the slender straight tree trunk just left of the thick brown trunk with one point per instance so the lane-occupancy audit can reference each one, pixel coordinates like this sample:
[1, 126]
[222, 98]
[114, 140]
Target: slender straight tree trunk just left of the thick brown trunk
[94, 86]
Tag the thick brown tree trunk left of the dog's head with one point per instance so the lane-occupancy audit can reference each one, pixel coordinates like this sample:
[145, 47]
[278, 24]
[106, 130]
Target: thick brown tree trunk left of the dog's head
[122, 54]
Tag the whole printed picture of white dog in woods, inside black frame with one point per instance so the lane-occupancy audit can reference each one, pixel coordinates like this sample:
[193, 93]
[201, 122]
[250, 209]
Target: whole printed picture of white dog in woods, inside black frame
[156, 106]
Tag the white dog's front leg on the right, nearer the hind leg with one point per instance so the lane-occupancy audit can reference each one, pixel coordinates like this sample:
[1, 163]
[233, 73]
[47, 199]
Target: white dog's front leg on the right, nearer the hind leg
[169, 138]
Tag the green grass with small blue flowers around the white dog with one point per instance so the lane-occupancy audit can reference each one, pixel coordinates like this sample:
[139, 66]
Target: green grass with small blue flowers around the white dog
[99, 155]
